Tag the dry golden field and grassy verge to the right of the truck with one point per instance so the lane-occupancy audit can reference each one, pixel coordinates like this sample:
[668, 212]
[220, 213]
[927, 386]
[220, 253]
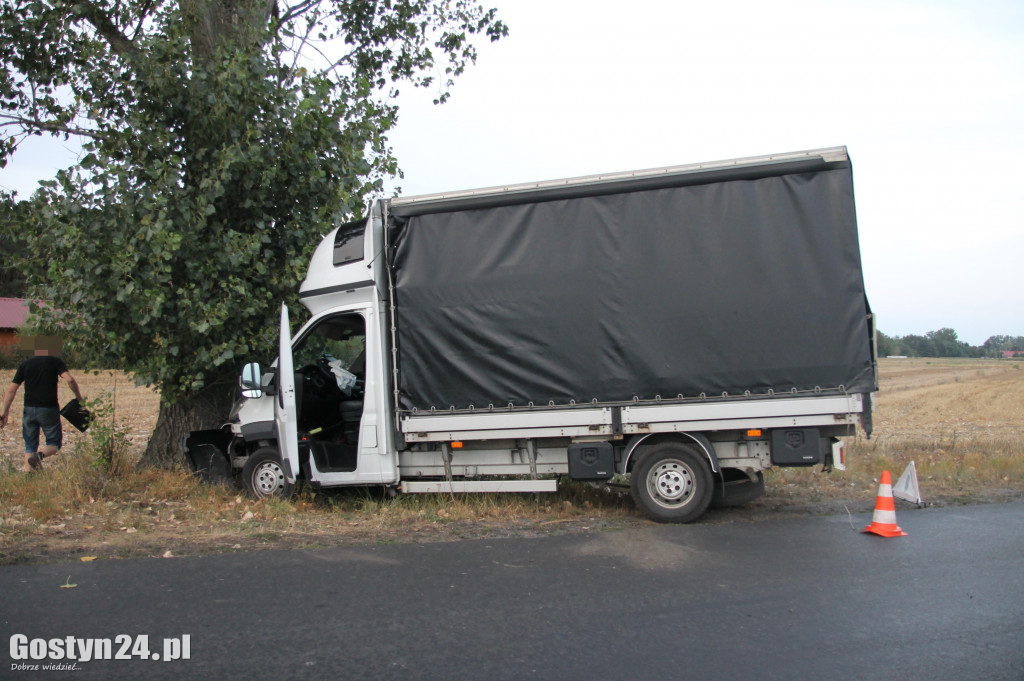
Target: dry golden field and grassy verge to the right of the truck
[959, 420]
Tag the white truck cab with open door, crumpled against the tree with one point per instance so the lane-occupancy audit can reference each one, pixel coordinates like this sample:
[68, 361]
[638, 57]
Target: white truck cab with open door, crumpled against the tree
[338, 362]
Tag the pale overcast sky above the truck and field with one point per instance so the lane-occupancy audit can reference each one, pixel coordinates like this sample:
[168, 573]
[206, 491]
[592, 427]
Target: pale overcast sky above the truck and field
[928, 98]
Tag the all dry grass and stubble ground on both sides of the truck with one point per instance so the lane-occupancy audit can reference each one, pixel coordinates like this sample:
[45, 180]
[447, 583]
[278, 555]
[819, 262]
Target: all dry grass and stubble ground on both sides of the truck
[958, 420]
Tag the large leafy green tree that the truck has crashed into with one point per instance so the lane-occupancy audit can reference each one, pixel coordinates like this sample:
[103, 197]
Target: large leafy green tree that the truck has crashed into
[222, 138]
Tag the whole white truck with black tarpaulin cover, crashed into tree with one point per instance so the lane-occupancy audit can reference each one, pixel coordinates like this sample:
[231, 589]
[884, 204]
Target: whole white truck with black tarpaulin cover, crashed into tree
[688, 327]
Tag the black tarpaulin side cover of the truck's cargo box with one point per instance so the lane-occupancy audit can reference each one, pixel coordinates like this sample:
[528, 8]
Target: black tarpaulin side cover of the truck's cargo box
[702, 284]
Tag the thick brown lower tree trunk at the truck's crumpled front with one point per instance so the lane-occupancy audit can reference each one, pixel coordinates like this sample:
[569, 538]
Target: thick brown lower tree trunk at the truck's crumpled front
[208, 409]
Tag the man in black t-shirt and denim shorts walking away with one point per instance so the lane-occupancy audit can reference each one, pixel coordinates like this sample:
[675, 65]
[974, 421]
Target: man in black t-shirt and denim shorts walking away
[42, 411]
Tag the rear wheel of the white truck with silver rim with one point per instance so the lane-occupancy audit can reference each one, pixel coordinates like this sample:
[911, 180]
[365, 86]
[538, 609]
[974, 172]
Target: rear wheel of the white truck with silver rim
[672, 484]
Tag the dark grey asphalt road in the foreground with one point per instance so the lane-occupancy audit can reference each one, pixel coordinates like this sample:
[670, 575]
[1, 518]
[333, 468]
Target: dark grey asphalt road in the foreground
[803, 600]
